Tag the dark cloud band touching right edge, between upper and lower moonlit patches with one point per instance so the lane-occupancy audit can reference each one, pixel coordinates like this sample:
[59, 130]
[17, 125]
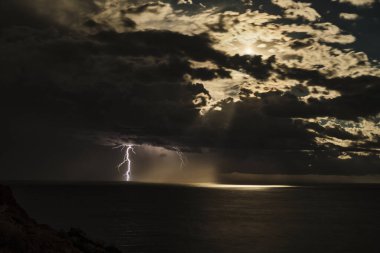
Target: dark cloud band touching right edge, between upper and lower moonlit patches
[360, 96]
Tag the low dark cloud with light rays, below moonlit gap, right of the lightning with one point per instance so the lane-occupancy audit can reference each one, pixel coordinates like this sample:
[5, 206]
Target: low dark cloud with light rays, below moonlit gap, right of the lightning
[269, 122]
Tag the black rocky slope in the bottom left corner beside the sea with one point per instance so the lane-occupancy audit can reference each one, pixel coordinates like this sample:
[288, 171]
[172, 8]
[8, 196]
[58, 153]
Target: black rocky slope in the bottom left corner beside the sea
[20, 233]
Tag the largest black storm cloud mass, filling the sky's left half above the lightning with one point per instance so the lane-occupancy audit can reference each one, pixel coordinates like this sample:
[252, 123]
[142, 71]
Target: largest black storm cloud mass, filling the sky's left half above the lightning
[111, 81]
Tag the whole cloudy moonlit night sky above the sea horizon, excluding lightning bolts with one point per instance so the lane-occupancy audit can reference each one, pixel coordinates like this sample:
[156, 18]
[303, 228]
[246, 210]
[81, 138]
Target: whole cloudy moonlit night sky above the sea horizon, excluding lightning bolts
[240, 87]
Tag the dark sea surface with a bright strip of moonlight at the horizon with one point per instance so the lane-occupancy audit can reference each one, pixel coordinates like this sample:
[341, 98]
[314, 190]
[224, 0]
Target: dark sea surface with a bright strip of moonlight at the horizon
[205, 218]
